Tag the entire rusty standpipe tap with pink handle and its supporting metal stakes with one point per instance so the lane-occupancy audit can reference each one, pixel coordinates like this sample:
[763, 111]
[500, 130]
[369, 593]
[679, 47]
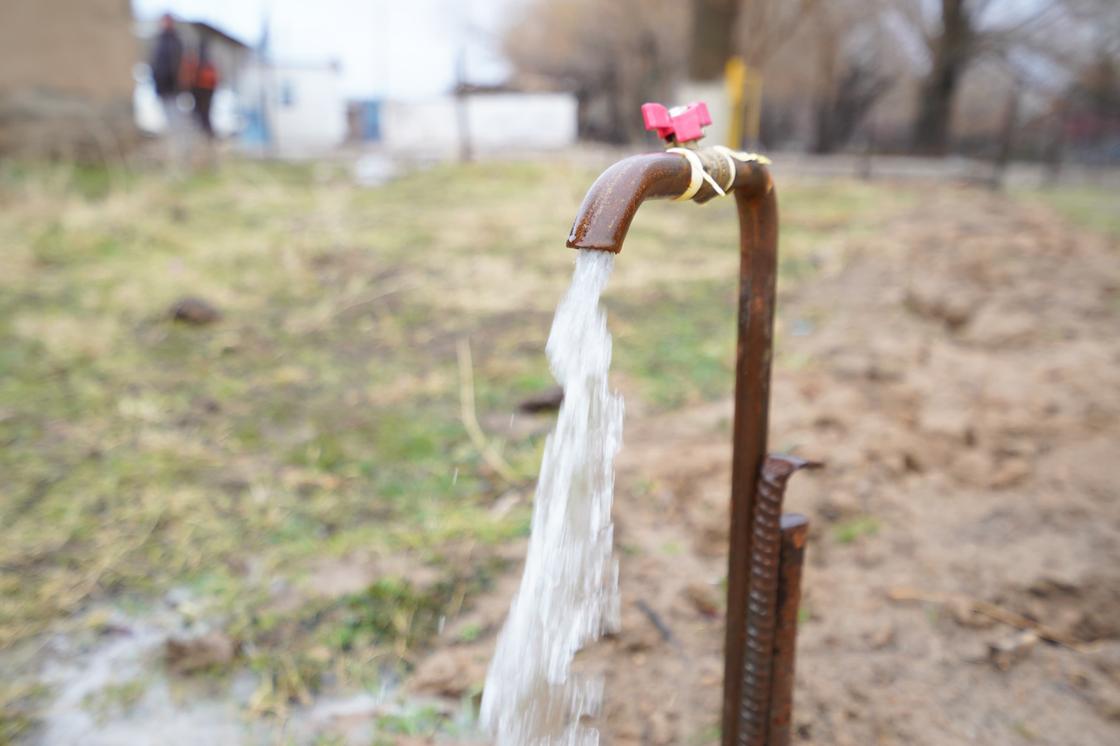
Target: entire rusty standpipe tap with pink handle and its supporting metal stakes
[767, 549]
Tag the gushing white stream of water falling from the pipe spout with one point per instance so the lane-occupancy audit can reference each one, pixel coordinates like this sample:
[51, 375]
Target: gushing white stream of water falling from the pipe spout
[570, 590]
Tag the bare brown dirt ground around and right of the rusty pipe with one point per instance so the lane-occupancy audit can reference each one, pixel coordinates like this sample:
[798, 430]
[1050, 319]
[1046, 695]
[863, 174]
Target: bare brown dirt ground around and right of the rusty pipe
[959, 375]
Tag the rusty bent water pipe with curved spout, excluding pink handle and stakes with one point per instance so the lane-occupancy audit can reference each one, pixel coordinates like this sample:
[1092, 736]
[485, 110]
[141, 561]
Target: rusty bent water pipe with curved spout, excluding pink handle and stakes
[602, 225]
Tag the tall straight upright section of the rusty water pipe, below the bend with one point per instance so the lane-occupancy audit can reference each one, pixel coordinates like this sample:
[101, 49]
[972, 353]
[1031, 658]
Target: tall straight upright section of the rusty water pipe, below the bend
[758, 277]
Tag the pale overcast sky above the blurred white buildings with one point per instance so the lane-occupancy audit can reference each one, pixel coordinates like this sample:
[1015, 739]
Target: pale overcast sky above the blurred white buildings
[403, 49]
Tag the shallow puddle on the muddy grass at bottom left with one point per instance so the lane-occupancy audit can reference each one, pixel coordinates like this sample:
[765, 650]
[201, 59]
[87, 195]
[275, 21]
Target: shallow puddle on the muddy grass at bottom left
[114, 691]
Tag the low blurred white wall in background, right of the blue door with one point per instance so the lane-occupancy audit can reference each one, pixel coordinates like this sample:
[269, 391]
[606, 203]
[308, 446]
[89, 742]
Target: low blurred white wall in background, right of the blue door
[498, 123]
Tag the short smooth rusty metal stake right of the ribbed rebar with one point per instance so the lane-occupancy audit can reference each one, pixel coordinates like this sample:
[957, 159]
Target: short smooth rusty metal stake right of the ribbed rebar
[795, 536]
